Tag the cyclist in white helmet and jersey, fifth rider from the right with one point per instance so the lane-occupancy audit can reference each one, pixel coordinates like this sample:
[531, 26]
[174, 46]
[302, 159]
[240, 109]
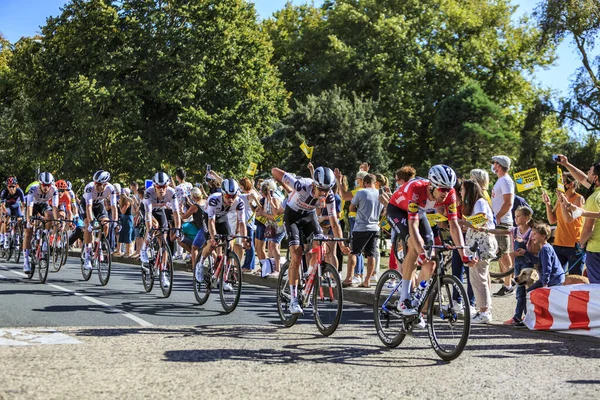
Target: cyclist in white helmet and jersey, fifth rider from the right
[92, 203]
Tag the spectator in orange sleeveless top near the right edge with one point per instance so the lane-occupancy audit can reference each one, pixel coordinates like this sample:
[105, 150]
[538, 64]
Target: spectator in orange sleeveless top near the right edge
[568, 230]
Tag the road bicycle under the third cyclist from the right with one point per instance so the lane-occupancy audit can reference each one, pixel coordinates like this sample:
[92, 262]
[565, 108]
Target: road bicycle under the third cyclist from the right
[224, 272]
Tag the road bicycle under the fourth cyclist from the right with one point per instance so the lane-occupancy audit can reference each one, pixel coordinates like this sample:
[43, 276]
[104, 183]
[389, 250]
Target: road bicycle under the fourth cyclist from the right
[160, 261]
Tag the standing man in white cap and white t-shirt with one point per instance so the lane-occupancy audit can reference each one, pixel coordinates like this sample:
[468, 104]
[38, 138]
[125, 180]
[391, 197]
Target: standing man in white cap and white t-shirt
[503, 196]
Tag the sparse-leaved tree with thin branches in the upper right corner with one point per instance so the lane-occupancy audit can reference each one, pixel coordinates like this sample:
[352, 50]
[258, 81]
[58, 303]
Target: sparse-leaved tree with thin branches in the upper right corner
[580, 21]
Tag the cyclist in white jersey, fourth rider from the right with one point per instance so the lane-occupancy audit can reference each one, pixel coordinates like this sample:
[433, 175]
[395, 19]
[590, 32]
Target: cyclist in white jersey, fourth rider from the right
[156, 199]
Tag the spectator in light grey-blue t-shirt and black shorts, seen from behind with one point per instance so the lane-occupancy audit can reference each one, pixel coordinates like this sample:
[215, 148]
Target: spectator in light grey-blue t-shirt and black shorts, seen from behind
[365, 233]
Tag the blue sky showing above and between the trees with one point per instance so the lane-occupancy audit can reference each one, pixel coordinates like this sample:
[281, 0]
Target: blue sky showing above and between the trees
[24, 17]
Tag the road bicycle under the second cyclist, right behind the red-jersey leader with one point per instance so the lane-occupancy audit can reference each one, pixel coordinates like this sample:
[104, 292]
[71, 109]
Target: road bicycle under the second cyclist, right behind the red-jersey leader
[320, 284]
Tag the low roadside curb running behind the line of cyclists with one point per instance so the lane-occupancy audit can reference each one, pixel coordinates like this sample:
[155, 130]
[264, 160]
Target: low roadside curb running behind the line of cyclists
[354, 295]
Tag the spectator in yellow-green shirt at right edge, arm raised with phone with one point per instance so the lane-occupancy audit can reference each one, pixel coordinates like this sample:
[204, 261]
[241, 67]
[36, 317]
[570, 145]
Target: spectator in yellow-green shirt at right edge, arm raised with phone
[590, 236]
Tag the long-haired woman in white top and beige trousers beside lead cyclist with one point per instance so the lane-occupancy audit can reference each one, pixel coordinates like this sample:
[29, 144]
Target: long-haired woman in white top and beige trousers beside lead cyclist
[473, 204]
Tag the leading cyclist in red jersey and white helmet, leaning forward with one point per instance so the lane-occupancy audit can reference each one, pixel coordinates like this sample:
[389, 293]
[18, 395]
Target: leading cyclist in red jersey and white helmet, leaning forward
[406, 213]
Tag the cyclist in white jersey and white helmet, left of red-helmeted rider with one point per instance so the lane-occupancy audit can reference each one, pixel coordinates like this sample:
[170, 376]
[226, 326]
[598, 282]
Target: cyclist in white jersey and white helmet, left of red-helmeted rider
[38, 199]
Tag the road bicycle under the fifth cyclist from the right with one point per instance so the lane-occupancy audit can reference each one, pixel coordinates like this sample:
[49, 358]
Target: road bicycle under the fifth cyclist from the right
[100, 253]
